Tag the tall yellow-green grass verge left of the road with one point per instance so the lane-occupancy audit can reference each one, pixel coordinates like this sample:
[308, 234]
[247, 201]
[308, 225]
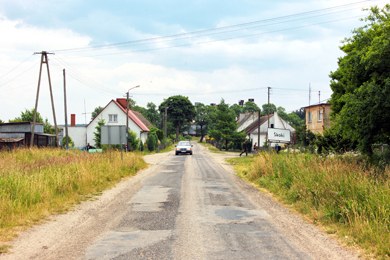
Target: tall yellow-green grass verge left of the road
[37, 183]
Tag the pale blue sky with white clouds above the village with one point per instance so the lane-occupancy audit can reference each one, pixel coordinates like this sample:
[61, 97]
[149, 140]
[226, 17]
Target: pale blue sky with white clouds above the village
[204, 50]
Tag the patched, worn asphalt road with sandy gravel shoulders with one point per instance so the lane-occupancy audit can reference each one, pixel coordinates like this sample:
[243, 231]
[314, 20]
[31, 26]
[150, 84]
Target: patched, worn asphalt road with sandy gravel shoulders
[182, 207]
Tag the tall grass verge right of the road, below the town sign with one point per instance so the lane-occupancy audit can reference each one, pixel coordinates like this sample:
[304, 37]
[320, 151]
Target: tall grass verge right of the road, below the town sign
[342, 195]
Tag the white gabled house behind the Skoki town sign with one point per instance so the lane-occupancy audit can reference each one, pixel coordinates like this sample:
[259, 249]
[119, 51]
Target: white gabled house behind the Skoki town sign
[250, 122]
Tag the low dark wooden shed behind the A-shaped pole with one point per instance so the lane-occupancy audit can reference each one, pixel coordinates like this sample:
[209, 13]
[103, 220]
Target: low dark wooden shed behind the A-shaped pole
[18, 134]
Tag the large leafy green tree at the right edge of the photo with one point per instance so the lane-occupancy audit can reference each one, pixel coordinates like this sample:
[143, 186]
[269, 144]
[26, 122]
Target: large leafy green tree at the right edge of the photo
[361, 84]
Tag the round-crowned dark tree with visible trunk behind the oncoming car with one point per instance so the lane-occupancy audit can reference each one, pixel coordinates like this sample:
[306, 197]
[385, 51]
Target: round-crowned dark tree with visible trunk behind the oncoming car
[180, 111]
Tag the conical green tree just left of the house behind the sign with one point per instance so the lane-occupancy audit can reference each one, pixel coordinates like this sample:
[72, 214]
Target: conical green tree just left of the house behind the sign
[224, 127]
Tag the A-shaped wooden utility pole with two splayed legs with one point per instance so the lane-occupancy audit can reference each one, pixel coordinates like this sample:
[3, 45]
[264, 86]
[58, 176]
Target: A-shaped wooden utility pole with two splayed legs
[45, 60]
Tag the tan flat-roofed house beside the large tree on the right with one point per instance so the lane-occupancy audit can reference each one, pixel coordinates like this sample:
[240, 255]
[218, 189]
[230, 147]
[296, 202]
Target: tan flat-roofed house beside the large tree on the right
[317, 117]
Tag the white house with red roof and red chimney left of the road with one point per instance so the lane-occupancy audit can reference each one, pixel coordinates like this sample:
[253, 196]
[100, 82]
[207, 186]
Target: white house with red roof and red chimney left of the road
[114, 113]
